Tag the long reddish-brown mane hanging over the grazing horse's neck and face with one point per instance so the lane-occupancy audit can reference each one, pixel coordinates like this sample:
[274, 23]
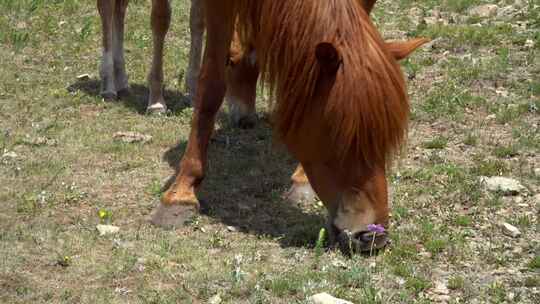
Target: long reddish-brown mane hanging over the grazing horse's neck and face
[367, 109]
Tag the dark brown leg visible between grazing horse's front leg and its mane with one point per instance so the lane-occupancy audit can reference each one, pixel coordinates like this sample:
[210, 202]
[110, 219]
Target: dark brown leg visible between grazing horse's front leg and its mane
[242, 74]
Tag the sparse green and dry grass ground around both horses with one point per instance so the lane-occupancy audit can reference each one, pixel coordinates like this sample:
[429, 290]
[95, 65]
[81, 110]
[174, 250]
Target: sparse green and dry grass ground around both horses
[474, 101]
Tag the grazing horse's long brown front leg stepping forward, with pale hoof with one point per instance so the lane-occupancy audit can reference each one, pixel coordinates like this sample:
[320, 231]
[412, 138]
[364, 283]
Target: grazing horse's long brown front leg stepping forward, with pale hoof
[179, 203]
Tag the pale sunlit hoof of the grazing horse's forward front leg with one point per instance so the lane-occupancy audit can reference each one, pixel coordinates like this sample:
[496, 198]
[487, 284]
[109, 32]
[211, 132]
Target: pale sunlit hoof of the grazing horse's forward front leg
[174, 216]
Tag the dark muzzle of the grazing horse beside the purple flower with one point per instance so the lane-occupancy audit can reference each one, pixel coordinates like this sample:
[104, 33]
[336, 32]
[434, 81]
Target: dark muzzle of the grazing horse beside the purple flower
[362, 241]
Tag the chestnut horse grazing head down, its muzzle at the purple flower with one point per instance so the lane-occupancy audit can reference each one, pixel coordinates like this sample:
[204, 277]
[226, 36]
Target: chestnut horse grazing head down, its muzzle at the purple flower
[341, 106]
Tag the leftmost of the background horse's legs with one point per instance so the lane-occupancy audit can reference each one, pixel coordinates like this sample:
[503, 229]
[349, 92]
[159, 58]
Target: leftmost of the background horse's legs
[106, 71]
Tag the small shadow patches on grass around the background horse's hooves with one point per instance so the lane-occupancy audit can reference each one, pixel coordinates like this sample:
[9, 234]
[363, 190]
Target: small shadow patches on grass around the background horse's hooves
[137, 98]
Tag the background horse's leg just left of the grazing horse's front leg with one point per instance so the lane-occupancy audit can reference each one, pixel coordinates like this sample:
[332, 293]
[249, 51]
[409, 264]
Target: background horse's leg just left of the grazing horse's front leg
[196, 27]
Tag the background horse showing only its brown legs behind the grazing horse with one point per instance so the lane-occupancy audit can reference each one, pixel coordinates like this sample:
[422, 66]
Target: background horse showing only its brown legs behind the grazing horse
[242, 73]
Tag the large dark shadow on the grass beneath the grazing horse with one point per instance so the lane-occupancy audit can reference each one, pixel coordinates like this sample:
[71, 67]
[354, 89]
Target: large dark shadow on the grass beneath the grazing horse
[244, 185]
